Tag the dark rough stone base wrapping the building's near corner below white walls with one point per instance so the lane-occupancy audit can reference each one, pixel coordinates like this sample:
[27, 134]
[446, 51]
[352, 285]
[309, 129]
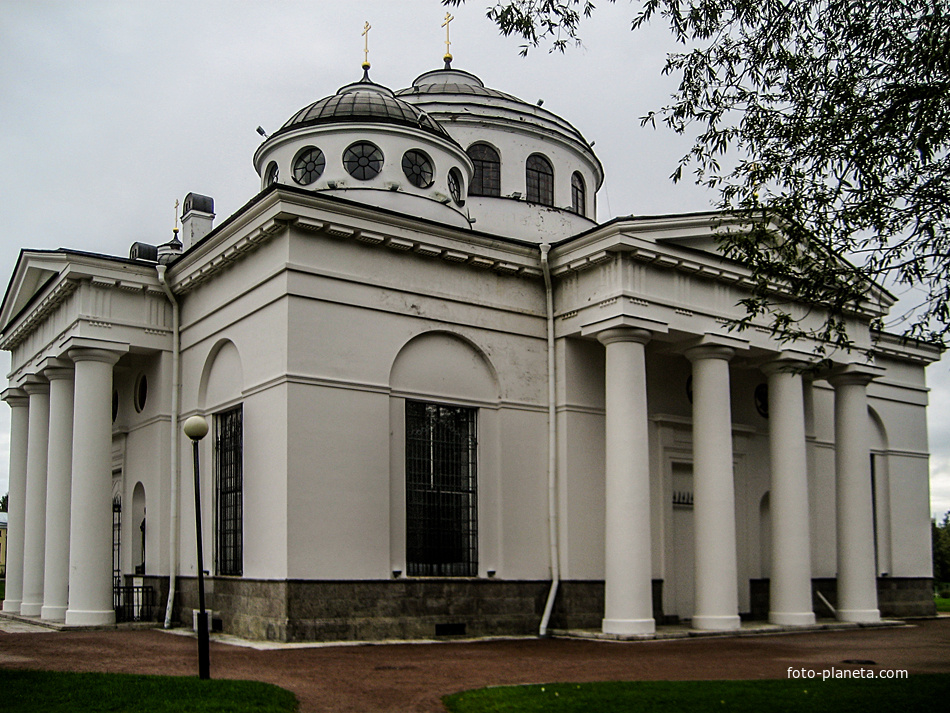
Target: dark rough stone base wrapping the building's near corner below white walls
[392, 609]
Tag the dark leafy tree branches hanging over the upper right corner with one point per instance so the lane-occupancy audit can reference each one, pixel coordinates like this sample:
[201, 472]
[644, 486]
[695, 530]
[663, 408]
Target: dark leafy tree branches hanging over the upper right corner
[824, 125]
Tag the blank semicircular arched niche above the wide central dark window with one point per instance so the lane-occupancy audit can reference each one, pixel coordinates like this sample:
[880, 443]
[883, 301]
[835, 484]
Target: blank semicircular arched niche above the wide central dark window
[438, 365]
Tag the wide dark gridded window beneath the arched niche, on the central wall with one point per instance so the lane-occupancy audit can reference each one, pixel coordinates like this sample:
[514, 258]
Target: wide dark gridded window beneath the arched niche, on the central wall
[441, 498]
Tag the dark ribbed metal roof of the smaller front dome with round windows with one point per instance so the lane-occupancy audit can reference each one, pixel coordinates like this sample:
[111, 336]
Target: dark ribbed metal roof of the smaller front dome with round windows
[363, 101]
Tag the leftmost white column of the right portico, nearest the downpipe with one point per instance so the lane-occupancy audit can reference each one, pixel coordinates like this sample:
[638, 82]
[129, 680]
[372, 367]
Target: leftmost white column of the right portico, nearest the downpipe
[628, 600]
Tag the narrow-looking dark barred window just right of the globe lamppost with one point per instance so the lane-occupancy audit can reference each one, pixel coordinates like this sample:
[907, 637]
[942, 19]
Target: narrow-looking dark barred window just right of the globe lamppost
[229, 490]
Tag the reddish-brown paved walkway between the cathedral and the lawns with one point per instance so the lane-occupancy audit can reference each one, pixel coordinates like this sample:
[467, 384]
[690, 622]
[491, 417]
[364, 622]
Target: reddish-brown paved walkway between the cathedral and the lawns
[413, 677]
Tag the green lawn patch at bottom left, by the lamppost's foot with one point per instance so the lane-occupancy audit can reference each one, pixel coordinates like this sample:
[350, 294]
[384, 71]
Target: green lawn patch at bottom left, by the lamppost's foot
[51, 692]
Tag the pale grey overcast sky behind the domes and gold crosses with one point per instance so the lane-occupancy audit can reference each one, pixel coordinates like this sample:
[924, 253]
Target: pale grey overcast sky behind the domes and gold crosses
[110, 110]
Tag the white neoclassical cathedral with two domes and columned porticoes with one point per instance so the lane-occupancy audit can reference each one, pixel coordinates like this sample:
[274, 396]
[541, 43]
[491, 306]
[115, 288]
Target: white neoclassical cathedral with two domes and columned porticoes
[445, 400]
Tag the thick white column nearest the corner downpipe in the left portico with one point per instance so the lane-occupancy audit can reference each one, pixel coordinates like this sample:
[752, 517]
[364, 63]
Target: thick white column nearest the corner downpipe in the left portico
[90, 531]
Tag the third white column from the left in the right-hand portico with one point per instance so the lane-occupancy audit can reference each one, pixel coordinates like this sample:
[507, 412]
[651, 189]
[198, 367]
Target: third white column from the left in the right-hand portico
[790, 585]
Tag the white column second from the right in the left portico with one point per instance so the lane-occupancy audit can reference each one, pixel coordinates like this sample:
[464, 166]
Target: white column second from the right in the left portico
[58, 487]
